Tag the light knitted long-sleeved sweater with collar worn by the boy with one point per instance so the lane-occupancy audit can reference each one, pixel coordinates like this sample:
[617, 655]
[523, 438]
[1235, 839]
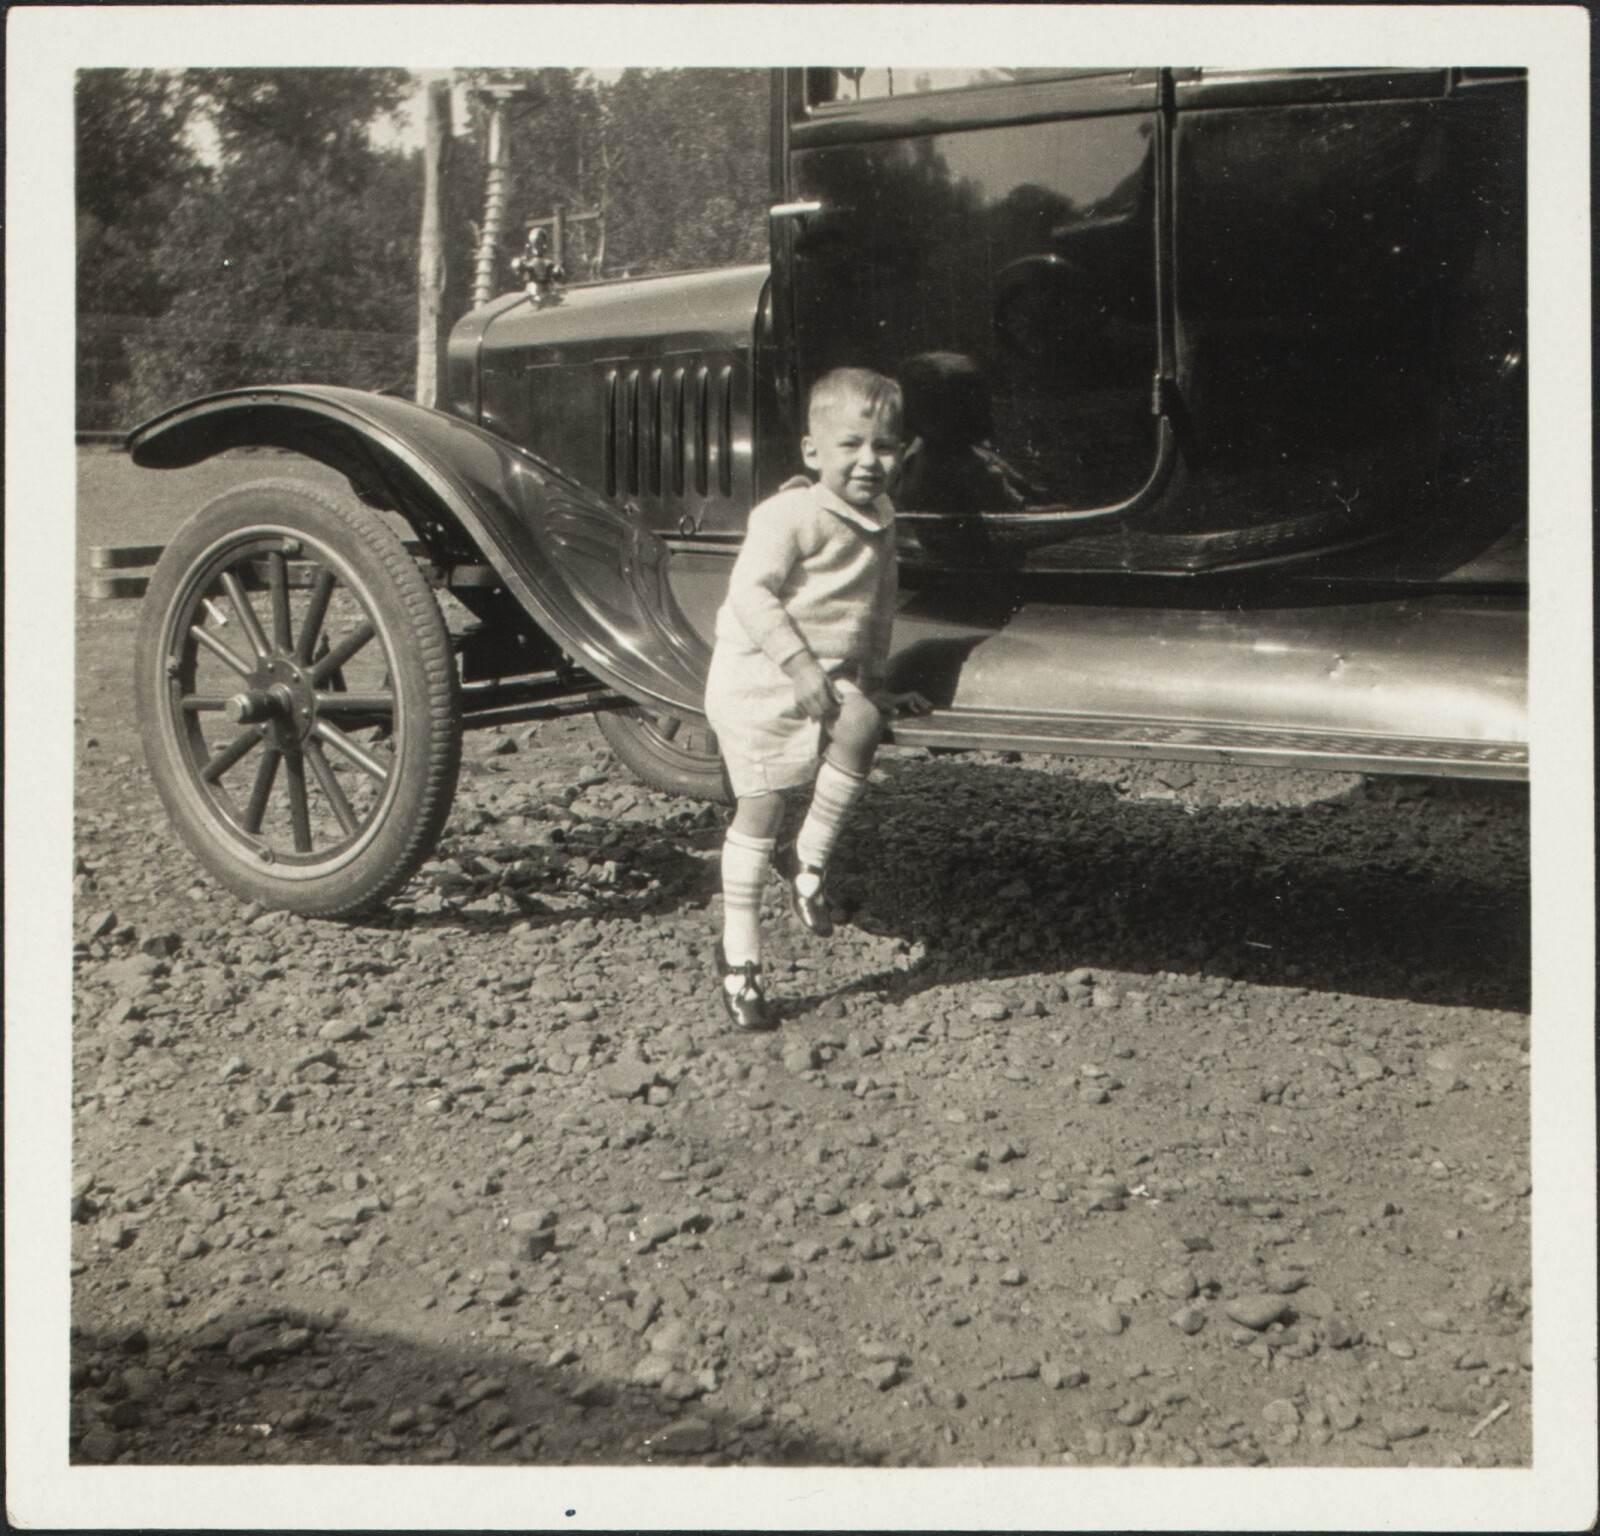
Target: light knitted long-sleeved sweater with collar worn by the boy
[815, 575]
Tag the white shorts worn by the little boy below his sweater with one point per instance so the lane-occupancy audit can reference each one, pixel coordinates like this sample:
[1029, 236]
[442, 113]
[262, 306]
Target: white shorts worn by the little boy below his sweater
[767, 742]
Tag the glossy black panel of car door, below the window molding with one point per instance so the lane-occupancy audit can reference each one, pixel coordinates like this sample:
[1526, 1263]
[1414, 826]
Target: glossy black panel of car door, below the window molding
[1030, 249]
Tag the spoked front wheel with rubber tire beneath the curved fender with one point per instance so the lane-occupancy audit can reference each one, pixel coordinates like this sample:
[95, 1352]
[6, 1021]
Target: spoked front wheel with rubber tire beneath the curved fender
[378, 806]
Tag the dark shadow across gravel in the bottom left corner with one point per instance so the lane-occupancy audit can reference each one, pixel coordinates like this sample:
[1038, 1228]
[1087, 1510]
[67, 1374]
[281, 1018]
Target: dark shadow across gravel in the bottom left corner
[282, 1385]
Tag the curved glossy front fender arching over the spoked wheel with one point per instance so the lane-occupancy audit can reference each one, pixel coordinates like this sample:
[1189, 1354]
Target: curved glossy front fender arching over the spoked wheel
[590, 574]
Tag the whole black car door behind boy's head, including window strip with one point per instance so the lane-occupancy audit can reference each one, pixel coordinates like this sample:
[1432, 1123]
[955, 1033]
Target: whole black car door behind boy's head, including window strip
[991, 239]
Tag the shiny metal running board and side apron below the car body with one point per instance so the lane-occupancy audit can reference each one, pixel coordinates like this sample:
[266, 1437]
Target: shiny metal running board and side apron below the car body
[1433, 684]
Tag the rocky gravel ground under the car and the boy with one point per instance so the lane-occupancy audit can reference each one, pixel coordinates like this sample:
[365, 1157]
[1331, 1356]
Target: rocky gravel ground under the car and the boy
[1134, 1116]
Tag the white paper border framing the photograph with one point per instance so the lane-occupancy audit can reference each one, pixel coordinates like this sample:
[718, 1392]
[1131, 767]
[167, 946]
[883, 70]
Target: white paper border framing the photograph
[49, 44]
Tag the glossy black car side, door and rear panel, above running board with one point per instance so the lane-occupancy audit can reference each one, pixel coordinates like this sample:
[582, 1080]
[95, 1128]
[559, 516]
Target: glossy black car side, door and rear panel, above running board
[1346, 302]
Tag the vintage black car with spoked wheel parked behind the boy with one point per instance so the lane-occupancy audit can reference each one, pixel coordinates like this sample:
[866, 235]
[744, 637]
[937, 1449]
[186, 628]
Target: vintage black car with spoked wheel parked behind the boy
[1218, 396]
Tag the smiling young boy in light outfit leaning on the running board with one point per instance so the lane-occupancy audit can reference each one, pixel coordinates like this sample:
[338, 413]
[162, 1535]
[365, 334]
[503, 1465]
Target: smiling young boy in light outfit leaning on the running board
[796, 686]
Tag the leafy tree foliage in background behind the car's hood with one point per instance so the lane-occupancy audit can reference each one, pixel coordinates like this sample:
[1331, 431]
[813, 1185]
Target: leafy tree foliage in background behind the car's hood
[294, 257]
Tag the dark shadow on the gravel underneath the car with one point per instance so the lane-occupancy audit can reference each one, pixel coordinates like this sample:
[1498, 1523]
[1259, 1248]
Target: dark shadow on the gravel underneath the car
[1002, 871]
